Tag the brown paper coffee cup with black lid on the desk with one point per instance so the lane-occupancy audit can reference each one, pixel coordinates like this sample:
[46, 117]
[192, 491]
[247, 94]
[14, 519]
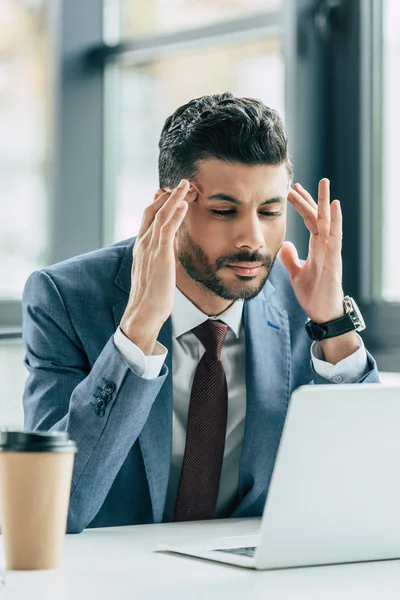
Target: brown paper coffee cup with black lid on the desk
[35, 483]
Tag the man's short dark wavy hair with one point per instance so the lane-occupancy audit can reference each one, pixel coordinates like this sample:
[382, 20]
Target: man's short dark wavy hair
[237, 130]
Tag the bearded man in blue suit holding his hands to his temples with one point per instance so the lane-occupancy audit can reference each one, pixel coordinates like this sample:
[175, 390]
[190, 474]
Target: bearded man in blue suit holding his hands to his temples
[173, 371]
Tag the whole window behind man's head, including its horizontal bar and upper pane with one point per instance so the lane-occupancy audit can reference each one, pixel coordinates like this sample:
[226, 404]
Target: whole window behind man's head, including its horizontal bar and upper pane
[237, 55]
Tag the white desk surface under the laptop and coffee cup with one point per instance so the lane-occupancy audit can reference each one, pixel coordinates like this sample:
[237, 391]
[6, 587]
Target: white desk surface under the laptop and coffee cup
[120, 563]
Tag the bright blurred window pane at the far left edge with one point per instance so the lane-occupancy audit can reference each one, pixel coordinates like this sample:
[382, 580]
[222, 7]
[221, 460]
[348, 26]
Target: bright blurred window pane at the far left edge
[25, 107]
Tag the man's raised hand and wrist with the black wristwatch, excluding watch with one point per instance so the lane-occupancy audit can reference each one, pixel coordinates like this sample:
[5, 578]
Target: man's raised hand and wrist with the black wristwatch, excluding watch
[318, 283]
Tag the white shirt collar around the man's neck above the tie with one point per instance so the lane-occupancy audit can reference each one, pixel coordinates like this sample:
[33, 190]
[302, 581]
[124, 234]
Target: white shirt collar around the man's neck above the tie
[186, 316]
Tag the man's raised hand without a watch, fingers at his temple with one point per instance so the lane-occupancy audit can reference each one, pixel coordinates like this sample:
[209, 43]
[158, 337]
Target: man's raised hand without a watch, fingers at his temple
[153, 276]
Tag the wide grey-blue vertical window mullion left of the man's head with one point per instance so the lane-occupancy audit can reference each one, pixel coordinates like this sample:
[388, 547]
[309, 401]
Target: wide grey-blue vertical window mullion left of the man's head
[77, 188]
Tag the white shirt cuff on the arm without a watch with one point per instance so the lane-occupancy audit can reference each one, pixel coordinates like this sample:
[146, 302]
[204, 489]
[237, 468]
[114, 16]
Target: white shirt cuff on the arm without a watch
[148, 367]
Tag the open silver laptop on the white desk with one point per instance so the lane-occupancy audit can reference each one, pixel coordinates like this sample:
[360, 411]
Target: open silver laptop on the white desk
[334, 495]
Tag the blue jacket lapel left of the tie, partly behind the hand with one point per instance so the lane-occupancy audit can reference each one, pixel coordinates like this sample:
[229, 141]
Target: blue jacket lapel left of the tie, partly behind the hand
[156, 436]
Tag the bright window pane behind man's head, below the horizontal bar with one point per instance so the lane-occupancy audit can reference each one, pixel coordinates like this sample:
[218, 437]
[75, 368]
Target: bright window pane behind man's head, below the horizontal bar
[151, 92]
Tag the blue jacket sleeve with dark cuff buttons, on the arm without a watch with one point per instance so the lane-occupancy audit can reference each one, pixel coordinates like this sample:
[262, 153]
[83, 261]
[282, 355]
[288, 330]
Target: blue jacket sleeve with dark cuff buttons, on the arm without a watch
[59, 396]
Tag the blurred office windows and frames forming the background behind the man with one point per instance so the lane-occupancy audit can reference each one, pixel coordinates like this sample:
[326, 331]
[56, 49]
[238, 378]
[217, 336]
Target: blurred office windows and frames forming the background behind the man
[85, 86]
